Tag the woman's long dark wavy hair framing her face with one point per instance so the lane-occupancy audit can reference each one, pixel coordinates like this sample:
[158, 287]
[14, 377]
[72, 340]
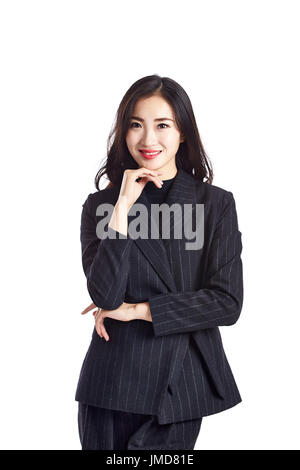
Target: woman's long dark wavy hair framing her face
[190, 156]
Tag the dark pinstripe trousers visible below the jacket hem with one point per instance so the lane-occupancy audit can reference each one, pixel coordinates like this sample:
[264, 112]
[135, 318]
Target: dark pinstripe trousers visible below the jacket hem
[104, 429]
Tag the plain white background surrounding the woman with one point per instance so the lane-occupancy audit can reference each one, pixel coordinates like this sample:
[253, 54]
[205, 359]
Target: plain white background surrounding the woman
[65, 66]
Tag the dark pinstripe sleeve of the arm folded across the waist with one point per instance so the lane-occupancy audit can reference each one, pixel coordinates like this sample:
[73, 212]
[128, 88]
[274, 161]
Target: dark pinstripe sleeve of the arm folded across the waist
[219, 302]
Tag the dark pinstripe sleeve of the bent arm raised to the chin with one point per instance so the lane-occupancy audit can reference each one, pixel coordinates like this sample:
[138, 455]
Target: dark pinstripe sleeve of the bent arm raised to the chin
[105, 261]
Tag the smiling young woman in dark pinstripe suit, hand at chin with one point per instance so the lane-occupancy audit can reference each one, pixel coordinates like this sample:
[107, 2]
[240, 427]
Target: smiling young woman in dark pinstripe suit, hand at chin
[156, 365]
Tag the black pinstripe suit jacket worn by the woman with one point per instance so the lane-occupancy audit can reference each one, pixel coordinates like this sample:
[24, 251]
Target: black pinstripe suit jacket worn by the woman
[175, 366]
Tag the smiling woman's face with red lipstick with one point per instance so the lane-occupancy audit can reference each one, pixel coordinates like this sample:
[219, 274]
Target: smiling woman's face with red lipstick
[153, 128]
